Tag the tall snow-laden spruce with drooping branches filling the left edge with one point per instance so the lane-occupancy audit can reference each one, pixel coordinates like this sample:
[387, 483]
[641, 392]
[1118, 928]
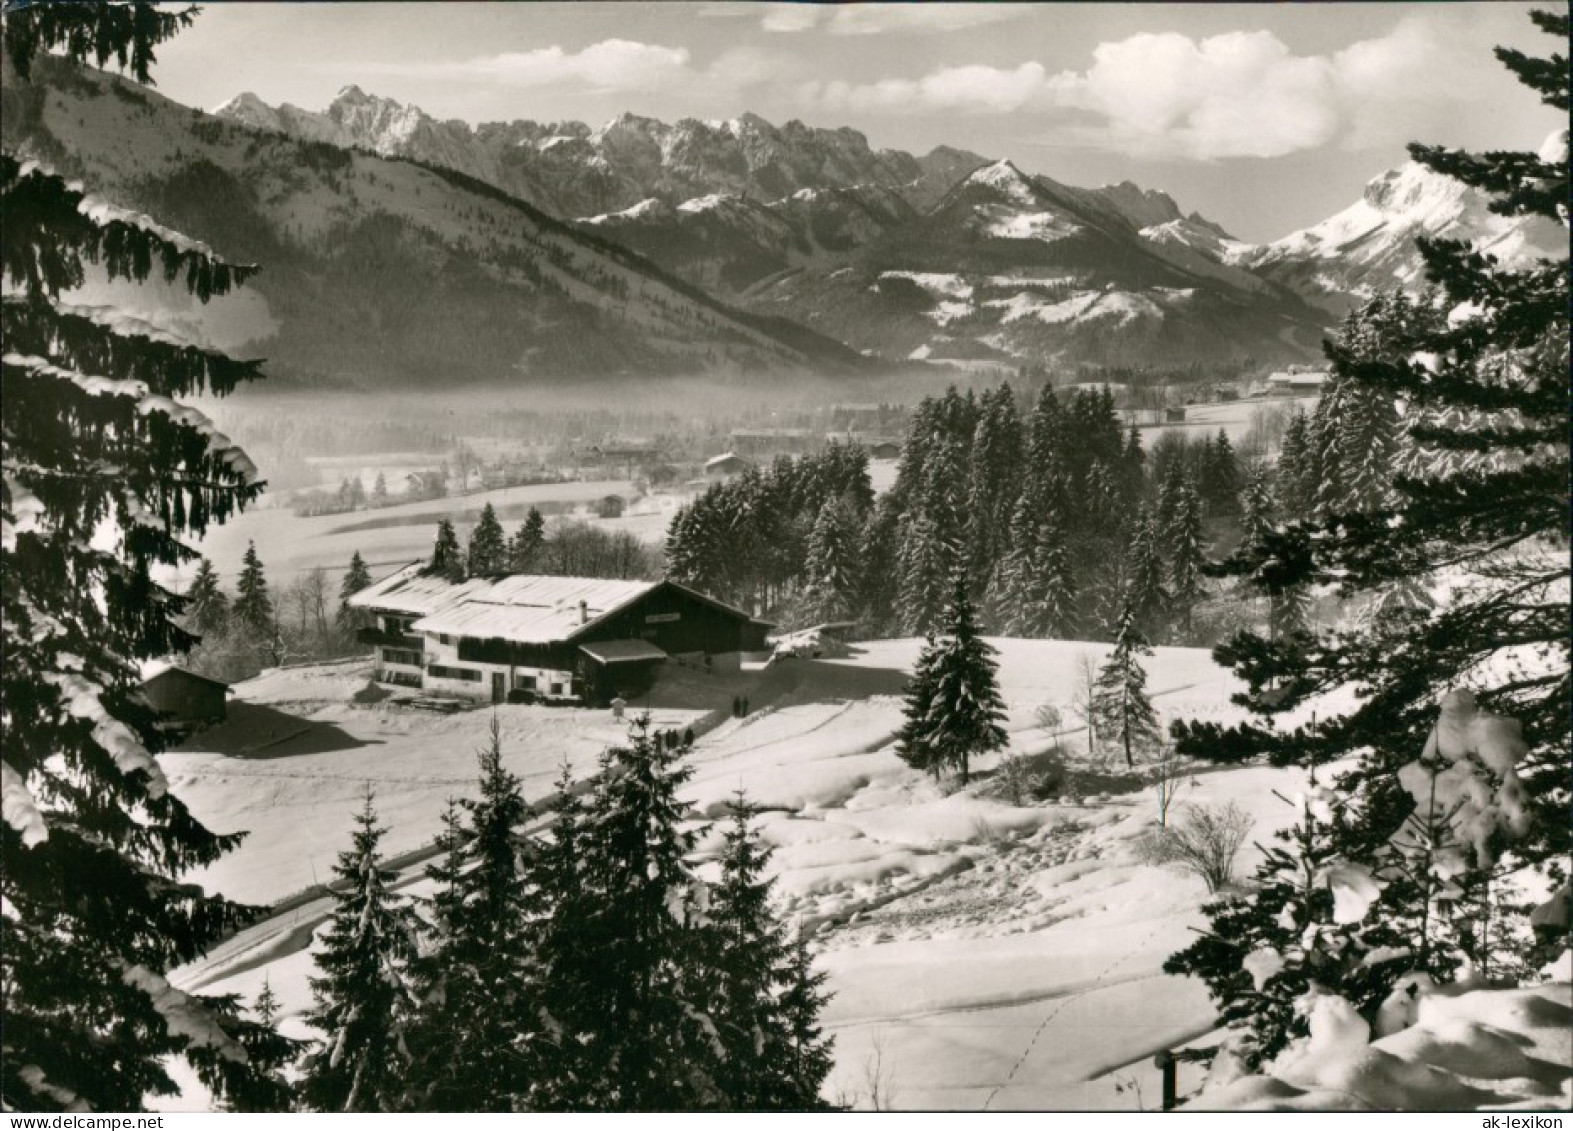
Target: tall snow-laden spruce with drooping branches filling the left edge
[105, 476]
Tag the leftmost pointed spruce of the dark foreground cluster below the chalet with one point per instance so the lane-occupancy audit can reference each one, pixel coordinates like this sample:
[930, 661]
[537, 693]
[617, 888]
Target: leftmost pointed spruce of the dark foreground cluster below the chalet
[361, 1000]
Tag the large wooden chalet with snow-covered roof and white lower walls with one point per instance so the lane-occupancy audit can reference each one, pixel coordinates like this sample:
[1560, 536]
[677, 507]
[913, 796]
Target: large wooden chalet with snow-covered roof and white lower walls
[558, 639]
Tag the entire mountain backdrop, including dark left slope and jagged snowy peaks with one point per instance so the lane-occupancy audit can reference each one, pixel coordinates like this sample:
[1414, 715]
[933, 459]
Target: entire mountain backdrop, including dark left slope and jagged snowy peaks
[402, 246]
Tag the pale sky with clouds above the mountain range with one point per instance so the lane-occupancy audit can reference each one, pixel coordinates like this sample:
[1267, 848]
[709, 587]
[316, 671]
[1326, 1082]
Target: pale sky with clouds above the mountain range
[1262, 117]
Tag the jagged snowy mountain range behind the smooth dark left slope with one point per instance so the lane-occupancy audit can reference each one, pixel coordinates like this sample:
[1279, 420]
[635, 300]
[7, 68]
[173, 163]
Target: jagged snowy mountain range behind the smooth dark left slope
[816, 226]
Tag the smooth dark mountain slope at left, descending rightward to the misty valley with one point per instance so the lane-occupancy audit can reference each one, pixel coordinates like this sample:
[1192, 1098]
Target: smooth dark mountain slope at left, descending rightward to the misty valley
[385, 271]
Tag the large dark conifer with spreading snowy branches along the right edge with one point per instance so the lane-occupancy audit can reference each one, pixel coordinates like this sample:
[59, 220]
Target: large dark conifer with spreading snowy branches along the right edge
[1487, 378]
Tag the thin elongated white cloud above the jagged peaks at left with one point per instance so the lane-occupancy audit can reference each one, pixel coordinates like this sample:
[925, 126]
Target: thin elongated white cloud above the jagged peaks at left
[611, 65]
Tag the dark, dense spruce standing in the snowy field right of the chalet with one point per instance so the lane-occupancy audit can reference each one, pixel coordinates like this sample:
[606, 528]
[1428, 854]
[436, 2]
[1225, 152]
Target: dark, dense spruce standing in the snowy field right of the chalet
[954, 709]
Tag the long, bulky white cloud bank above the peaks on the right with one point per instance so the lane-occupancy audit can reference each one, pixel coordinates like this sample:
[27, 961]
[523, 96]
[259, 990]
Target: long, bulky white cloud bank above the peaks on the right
[1234, 95]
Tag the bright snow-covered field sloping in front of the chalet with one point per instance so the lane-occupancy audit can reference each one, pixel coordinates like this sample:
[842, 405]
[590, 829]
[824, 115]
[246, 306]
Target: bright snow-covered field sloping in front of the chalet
[982, 956]
